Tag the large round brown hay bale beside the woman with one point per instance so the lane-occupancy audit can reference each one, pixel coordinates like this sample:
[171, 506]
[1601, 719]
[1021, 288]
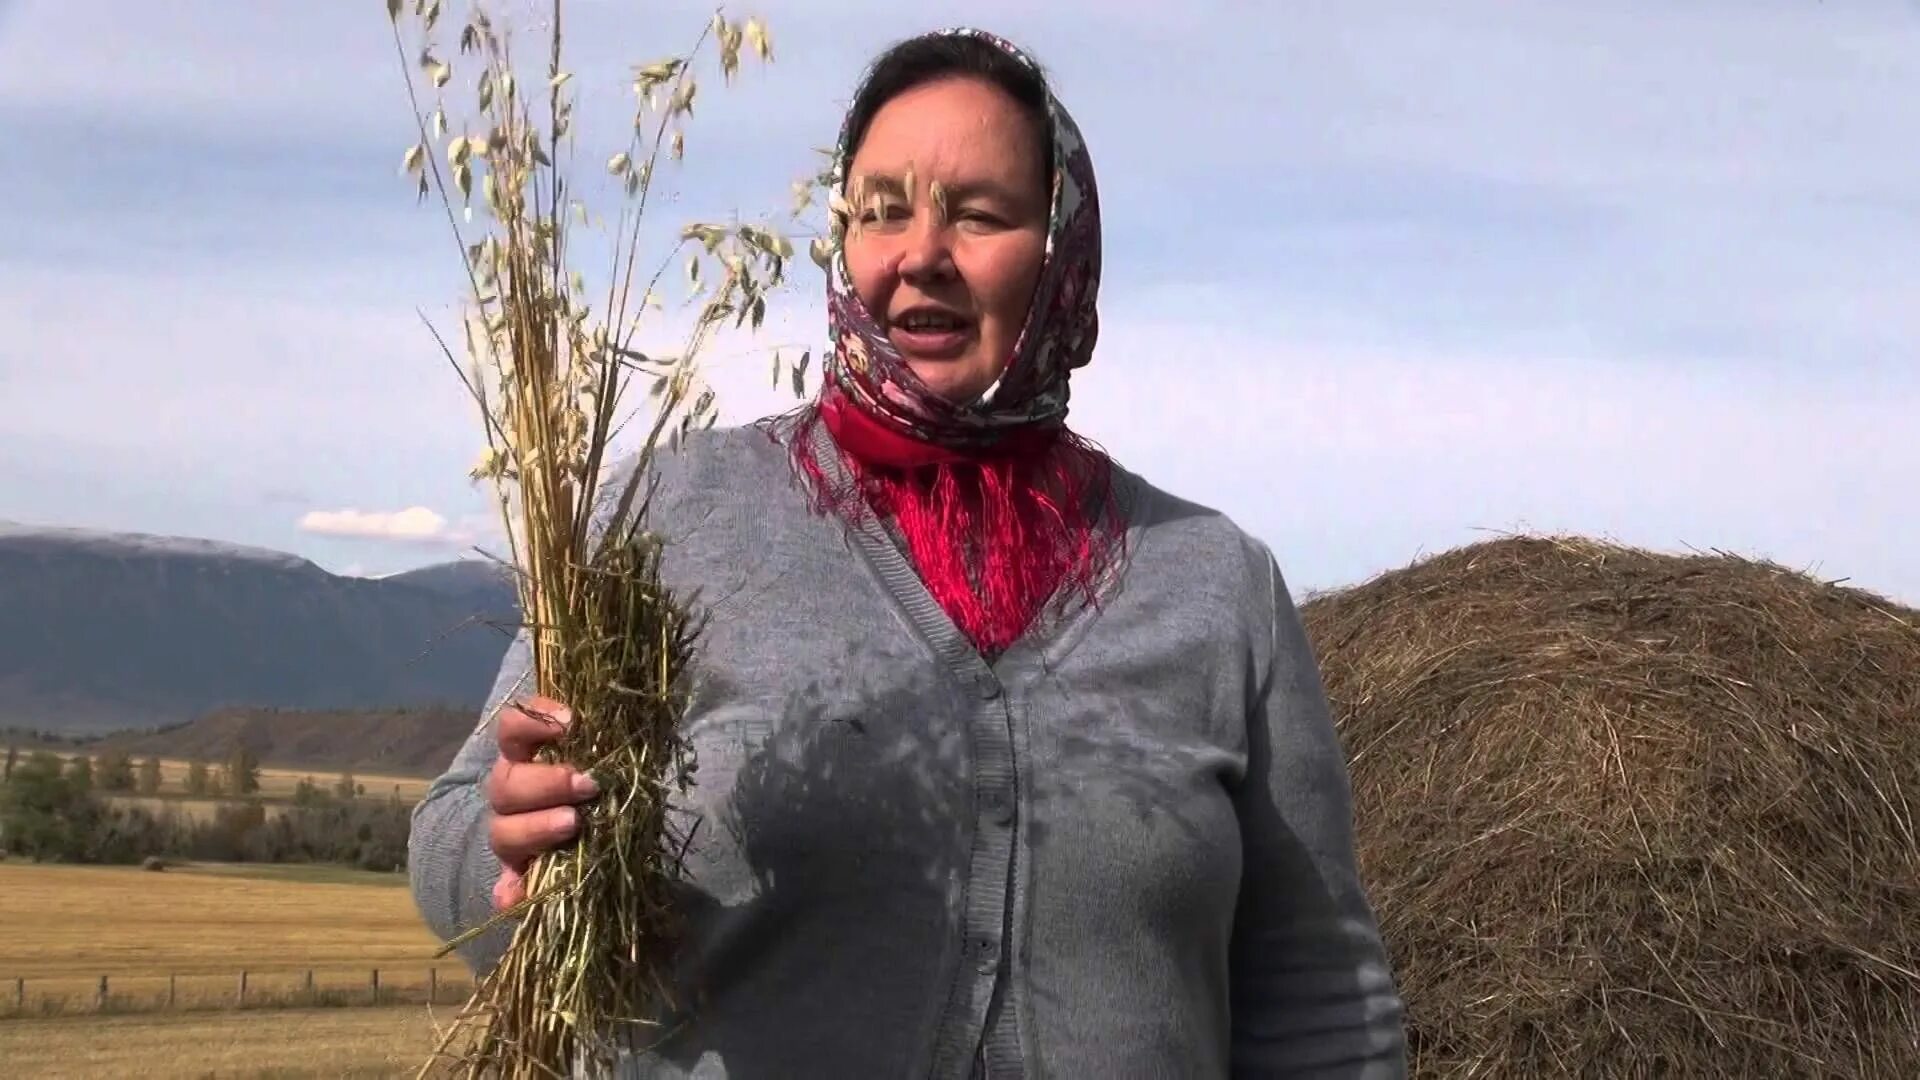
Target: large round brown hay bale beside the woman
[1637, 816]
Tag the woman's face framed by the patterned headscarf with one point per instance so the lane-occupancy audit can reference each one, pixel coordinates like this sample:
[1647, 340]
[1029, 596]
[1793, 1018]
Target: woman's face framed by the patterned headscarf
[949, 278]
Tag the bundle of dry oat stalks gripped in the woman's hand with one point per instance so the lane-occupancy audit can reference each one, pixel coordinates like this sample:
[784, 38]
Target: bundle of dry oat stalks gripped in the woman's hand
[548, 358]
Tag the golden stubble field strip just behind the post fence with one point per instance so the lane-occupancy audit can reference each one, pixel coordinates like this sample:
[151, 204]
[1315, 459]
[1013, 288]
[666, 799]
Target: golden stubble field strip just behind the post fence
[70, 925]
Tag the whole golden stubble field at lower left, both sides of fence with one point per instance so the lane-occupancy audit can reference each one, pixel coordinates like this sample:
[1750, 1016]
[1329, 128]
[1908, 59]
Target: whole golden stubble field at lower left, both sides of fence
[191, 933]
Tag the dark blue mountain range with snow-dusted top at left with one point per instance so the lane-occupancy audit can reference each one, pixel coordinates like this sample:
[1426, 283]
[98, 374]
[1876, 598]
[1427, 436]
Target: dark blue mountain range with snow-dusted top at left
[107, 631]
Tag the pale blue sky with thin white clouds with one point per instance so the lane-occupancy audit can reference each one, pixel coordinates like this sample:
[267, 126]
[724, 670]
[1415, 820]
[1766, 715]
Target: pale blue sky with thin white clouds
[1381, 278]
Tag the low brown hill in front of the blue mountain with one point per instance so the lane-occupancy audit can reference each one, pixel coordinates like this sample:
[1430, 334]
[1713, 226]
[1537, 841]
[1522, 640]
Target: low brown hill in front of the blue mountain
[408, 743]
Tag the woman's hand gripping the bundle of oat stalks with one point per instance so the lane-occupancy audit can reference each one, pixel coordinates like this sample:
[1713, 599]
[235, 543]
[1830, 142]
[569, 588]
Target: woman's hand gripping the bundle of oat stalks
[533, 802]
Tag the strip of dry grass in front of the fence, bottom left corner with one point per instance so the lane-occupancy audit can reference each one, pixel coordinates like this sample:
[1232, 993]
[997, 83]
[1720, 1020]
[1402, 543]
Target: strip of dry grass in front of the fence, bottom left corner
[291, 1043]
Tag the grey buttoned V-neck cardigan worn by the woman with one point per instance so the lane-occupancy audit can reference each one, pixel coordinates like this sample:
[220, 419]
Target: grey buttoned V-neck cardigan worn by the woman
[1120, 850]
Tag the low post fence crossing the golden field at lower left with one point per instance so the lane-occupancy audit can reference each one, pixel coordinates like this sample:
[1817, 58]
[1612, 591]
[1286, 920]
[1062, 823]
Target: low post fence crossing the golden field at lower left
[57, 994]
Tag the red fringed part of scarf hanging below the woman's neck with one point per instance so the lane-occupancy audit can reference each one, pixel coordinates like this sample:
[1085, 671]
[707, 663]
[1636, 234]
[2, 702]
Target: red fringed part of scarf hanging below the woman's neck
[996, 535]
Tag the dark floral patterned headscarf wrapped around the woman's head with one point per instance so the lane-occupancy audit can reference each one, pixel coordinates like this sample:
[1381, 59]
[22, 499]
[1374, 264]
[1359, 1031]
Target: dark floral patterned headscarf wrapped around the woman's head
[1057, 339]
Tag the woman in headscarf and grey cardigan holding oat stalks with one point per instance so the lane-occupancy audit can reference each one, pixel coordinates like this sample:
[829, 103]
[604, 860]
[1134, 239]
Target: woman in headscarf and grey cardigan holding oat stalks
[1011, 764]
